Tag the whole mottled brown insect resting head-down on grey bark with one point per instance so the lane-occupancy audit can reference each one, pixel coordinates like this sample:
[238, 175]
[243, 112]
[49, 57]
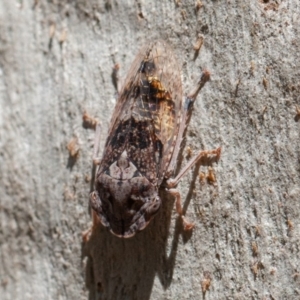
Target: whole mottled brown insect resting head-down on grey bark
[143, 143]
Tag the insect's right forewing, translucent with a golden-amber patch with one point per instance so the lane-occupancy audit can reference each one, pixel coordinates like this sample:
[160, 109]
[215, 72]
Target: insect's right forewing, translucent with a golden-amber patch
[164, 78]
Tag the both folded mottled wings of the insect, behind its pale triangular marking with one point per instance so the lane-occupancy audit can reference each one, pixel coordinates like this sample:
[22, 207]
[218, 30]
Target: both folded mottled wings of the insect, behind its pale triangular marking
[146, 117]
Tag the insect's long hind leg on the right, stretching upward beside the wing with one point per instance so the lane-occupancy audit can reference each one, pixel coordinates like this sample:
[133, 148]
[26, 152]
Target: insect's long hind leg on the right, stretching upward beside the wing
[186, 114]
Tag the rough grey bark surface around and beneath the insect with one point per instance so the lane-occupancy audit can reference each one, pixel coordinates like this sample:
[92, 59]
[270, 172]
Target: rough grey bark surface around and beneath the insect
[56, 60]
